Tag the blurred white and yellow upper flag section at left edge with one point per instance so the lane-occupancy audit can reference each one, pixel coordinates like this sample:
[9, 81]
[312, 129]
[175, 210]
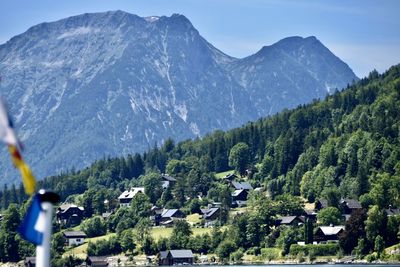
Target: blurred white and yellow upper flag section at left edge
[7, 135]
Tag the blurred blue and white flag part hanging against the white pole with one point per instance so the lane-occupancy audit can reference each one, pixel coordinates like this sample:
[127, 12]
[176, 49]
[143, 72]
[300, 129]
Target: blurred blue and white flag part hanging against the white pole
[30, 227]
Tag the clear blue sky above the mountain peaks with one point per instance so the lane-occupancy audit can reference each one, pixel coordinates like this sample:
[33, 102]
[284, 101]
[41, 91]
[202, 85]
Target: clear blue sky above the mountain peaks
[363, 33]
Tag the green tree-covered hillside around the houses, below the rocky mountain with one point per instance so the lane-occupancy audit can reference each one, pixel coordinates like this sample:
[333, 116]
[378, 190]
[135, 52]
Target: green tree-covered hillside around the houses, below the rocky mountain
[345, 146]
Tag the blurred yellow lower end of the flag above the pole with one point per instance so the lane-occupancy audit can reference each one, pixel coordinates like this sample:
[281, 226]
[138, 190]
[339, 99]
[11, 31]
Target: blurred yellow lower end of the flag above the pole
[27, 177]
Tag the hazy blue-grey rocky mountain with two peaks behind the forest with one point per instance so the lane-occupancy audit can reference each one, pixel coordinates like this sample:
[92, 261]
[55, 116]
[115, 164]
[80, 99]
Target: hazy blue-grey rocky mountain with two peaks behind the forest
[114, 83]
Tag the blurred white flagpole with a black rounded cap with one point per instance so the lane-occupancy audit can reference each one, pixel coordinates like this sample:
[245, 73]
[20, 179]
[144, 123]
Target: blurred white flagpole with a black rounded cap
[48, 199]
